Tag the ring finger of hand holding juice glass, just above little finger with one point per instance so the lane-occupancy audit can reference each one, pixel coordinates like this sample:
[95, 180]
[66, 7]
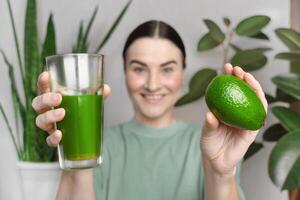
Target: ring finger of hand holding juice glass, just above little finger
[45, 121]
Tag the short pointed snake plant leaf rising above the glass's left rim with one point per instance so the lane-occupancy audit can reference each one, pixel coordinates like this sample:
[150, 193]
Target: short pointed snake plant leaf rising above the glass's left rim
[49, 47]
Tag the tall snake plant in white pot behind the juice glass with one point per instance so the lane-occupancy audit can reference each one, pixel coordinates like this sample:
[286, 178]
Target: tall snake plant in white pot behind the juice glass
[35, 157]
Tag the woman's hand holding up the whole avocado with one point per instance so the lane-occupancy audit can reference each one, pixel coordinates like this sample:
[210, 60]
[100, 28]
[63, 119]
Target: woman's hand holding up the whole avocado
[223, 146]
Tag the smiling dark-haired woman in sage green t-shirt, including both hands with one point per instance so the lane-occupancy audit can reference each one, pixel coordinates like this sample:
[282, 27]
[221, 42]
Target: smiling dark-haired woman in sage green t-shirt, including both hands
[154, 156]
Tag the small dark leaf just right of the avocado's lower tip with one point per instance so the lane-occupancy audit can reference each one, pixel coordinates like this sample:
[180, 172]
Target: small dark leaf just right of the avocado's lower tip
[274, 133]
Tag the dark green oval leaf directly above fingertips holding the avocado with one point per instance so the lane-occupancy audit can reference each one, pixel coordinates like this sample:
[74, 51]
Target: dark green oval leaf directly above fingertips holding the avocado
[249, 60]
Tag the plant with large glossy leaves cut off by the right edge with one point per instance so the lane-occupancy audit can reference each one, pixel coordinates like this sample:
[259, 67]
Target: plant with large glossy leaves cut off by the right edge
[284, 160]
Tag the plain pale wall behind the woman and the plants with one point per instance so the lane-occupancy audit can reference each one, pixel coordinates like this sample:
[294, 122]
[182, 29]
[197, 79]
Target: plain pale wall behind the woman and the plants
[186, 16]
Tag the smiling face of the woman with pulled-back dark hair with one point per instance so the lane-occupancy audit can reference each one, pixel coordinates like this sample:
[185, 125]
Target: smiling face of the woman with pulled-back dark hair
[154, 75]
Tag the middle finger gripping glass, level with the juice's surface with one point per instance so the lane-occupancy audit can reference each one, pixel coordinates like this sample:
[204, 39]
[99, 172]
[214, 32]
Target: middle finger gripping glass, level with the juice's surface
[46, 101]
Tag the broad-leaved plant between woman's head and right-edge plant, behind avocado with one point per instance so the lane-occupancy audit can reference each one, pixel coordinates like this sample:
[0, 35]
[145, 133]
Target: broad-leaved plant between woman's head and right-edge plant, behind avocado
[250, 59]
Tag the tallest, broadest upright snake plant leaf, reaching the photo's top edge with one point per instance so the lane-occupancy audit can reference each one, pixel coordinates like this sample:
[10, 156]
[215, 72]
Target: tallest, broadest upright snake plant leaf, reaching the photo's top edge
[32, 69]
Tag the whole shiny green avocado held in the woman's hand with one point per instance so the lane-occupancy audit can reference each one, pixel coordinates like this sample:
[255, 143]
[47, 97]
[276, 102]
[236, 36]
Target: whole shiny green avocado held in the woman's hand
[235, 103]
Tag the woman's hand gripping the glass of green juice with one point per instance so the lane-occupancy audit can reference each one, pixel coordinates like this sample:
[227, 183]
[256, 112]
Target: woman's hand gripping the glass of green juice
[43, 104]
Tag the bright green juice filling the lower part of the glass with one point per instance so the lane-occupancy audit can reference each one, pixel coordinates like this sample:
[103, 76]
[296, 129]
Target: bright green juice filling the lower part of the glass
[81, 127]
